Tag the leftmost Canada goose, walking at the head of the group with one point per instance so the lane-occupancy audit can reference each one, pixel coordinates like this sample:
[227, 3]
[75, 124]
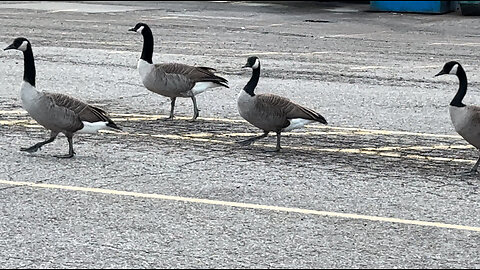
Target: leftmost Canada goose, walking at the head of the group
[56, 112]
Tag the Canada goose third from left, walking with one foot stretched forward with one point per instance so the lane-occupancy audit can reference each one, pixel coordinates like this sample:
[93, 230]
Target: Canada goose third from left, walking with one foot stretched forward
[271, 112]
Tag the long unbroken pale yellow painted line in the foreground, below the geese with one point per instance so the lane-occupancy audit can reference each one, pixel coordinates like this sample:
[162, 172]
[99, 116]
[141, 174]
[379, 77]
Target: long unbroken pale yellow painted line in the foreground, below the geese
[243, 205]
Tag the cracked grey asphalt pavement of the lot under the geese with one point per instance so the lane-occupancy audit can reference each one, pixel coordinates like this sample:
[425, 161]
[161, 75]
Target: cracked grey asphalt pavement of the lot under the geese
[380, 186]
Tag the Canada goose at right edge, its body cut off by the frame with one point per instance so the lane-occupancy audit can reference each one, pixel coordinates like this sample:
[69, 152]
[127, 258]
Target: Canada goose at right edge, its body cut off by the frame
[465, 118]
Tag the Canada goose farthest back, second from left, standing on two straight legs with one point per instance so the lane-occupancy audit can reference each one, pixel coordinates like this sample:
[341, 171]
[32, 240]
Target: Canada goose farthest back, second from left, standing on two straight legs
[172, 79]
